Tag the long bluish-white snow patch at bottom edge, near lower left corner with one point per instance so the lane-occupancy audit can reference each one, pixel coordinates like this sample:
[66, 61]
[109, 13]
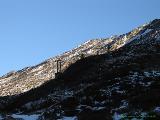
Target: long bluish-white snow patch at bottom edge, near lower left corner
[26, 117]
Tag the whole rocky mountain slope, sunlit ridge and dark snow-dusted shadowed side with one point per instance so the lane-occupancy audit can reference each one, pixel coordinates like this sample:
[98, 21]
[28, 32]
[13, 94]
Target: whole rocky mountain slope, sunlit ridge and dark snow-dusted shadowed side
[102, 79]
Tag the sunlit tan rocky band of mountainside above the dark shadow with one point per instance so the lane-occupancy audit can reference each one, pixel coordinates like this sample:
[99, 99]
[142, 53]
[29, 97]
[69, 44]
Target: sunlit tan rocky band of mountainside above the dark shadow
[47, 69]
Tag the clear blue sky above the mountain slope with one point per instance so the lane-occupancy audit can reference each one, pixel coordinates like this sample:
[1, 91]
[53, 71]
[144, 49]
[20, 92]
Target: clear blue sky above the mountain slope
[34, 30]
